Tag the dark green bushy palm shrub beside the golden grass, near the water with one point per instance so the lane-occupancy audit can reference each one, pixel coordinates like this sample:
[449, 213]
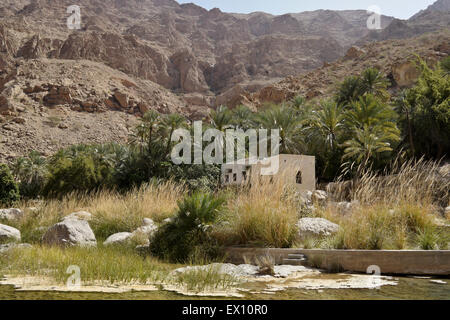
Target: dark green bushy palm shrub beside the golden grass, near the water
[177, 240]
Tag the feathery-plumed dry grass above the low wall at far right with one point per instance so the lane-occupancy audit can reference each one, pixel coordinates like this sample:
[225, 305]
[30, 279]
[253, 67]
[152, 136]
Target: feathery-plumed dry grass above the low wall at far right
[396, 210]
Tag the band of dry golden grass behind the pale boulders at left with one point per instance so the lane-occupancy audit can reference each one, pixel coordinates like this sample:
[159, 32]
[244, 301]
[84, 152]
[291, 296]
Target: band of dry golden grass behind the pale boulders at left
[112, 212]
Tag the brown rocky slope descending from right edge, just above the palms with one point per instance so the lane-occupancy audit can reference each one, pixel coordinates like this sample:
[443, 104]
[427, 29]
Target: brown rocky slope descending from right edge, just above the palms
[395, 58]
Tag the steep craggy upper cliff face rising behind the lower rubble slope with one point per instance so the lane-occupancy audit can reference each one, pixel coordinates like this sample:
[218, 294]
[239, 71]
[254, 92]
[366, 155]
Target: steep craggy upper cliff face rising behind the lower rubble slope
[183, 48]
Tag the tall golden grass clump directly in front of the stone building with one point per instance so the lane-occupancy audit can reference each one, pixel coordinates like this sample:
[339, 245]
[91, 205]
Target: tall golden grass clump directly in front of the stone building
[263, 214]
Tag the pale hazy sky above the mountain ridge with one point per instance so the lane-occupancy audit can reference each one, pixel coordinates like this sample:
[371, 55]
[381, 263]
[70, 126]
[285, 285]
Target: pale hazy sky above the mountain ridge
[402, 9]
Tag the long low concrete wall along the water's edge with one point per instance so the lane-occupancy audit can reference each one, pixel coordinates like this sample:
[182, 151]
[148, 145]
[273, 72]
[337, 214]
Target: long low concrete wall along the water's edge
[416, 262]
